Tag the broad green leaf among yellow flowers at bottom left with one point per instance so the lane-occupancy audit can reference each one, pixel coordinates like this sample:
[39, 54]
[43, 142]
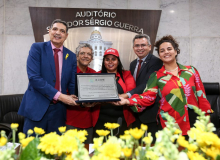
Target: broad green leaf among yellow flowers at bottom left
[30, 152]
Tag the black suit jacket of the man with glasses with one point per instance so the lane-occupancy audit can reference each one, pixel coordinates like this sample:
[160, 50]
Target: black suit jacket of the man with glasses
[150, 65]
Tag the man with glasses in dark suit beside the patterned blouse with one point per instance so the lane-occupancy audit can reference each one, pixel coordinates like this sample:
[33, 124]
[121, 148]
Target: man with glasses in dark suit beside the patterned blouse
[148, 64]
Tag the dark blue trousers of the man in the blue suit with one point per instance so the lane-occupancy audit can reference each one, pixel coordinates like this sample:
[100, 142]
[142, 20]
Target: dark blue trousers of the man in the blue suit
[54, 118]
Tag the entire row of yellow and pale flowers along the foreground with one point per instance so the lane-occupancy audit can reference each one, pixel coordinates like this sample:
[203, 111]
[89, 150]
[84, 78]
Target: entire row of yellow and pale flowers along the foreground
[202, 144]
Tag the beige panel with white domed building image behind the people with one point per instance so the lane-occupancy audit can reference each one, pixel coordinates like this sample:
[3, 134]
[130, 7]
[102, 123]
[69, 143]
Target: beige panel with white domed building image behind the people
[101, 38]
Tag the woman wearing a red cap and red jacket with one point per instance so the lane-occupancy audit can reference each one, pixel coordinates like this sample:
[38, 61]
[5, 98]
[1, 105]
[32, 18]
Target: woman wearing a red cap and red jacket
[107, 112]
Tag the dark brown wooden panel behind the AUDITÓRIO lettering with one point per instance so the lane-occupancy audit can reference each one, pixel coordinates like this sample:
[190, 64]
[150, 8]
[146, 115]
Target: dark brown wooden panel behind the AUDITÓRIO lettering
[42, 17]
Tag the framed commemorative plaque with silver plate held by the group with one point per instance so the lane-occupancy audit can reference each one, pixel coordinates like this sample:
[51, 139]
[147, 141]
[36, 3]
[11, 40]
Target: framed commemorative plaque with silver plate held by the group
[97, 87]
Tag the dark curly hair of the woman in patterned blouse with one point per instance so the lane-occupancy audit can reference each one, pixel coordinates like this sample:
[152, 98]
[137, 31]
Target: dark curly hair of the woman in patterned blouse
[169, 39]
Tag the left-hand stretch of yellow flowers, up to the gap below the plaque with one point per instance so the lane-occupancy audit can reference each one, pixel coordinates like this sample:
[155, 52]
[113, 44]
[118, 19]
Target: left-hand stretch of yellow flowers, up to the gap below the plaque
[67, 146]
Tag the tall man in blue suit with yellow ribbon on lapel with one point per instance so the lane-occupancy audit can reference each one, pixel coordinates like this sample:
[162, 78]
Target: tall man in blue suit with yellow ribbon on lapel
[51, 70]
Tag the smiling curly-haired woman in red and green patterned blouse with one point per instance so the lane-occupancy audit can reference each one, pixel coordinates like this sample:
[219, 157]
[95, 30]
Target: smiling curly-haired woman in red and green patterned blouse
[179, 87]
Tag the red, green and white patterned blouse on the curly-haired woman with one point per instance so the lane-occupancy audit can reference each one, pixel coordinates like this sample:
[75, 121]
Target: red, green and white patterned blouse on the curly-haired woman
[178, 94]
